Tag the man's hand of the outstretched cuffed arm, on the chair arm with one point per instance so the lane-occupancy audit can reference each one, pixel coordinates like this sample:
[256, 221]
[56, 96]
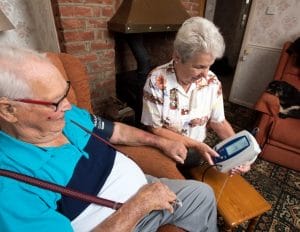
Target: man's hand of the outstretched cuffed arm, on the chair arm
[175, 150]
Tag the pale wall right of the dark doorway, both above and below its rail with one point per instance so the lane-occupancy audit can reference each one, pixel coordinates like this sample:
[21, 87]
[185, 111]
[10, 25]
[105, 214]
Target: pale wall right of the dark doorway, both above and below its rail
[270, 24]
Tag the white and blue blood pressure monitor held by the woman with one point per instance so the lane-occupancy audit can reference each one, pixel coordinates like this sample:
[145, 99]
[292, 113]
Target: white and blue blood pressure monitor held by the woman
[237, 150]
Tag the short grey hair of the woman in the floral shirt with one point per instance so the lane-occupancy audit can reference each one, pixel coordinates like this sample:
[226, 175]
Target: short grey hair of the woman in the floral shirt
[196, 35]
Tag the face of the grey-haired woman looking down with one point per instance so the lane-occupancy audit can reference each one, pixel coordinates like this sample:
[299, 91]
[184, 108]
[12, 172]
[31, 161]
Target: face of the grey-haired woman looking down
[194, 68]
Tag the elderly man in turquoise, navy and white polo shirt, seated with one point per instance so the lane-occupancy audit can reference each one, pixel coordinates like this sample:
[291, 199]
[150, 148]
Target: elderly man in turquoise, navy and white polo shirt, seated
[38, 138]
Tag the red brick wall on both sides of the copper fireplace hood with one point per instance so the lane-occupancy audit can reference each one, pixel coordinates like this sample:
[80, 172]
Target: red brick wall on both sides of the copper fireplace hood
[83, 32]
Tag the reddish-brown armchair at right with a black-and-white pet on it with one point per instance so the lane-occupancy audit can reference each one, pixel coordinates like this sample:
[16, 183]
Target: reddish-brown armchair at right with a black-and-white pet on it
[280, 138]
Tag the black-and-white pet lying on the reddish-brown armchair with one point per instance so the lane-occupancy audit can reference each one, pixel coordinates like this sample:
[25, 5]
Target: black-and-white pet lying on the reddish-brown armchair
[289, 98]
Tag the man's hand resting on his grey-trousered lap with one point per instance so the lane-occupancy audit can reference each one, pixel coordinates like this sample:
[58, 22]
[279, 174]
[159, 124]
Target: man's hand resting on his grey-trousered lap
[155, 196]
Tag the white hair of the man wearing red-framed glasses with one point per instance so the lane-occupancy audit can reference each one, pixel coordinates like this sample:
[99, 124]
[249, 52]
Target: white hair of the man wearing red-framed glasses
[13, 83]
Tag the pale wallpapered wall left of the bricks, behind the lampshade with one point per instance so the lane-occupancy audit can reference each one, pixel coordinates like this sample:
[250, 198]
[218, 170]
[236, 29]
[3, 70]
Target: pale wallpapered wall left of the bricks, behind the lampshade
[34, 24]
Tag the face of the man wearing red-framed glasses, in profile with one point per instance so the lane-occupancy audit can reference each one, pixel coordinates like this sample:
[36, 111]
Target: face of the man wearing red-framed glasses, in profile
[44, 120]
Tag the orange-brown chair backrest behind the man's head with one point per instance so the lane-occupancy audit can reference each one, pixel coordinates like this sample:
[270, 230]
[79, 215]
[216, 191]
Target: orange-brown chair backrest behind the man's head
[72, 69]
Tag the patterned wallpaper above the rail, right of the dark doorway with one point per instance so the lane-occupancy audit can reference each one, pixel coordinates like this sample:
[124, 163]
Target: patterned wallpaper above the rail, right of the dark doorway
[275, 21]
